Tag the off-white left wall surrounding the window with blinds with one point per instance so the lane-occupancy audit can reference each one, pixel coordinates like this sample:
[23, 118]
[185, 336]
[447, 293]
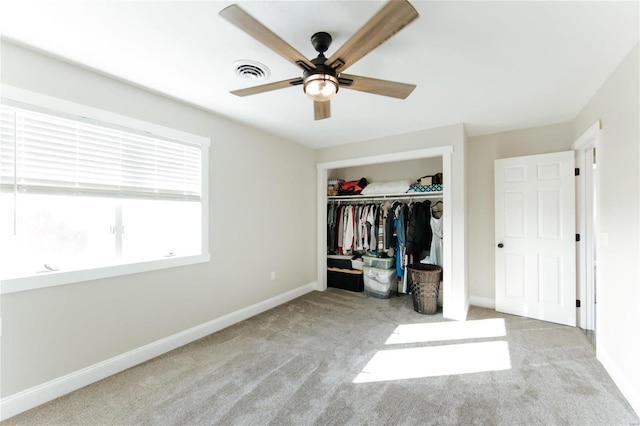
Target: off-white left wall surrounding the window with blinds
[260, 187]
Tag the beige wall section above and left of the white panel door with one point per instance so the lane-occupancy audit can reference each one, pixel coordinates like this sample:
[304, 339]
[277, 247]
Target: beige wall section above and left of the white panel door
[482, 151]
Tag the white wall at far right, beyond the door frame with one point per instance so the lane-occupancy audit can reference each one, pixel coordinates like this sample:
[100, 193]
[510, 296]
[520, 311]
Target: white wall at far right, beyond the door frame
[616, 104]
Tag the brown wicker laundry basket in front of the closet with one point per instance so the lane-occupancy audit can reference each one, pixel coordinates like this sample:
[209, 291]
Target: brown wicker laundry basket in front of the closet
[425, 281]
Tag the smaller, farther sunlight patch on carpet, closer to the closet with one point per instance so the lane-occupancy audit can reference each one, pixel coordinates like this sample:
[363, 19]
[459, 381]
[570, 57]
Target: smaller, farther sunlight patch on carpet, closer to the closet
[442, 331]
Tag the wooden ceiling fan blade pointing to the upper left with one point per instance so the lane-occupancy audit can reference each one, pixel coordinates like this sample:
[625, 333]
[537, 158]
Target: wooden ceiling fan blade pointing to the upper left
[264, 35]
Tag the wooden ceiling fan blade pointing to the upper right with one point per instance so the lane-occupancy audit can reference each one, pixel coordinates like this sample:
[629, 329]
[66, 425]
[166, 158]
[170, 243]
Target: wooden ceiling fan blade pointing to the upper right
[394, 16]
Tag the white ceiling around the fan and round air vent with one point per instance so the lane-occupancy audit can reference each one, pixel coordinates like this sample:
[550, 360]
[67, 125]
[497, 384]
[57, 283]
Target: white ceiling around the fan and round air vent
[494, 66]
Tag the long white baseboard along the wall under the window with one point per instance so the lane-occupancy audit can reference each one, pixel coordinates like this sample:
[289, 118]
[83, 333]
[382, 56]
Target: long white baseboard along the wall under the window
[45, 392]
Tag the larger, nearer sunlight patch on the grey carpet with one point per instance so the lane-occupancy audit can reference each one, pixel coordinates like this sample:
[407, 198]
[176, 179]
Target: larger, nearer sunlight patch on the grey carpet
[432, 361]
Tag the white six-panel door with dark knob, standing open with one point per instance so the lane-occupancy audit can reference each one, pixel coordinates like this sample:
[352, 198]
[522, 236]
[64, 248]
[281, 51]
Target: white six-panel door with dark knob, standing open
[535, 237]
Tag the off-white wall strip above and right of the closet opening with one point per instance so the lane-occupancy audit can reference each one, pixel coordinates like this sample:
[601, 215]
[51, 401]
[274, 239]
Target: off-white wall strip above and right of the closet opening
[454, 135]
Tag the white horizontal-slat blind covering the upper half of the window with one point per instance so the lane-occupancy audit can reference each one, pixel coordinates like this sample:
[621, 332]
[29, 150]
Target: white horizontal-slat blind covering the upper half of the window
[50, 154]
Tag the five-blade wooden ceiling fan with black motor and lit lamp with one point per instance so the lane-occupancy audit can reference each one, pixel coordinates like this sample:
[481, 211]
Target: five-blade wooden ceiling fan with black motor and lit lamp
[322, 77]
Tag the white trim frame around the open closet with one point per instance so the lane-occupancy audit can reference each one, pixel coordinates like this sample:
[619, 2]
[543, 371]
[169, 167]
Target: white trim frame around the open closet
[448, 286]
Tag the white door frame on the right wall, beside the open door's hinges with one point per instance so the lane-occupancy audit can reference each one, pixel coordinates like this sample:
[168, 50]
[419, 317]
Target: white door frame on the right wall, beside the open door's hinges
[587, 221]
